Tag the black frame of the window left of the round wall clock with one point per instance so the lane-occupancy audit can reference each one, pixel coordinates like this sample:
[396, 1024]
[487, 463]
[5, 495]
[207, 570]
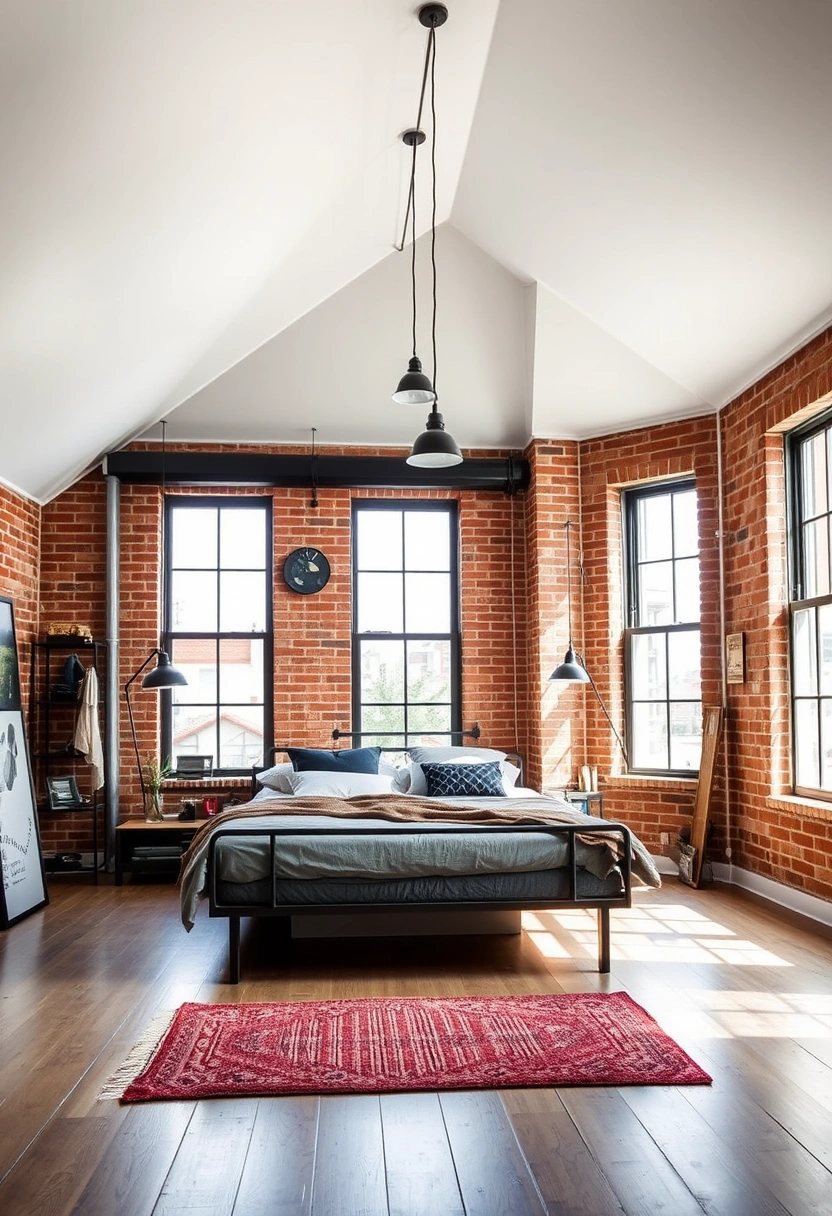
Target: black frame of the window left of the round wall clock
[223, 503]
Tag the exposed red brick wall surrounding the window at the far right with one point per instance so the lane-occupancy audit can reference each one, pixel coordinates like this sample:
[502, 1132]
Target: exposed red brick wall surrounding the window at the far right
[772, 835]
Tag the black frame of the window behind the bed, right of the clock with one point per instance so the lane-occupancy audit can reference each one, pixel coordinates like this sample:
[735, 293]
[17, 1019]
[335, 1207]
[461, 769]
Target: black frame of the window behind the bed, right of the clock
[406, 739]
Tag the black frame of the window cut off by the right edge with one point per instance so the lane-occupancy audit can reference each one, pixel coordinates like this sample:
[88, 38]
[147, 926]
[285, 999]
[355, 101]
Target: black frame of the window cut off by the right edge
[796, 530]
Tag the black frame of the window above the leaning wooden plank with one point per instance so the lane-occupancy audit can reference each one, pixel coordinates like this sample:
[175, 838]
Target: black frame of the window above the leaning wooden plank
[631, 500]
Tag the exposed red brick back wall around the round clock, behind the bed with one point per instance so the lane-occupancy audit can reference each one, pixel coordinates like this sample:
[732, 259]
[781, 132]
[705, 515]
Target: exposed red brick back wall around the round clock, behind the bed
[312, 686]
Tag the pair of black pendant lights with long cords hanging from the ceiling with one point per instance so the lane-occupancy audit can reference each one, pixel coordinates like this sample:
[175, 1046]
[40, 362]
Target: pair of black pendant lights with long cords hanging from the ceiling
[435, 448]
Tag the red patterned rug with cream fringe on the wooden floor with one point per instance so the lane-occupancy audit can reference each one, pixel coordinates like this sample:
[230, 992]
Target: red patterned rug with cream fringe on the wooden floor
[380, 1046]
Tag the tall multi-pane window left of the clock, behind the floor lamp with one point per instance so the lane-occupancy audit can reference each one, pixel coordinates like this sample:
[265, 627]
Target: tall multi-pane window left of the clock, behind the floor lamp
[218, 629]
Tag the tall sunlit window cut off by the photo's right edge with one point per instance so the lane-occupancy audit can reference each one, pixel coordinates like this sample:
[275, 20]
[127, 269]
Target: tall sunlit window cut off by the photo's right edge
[809, 453]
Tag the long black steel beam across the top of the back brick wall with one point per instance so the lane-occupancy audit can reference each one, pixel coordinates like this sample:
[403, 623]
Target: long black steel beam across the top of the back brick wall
[508, 475]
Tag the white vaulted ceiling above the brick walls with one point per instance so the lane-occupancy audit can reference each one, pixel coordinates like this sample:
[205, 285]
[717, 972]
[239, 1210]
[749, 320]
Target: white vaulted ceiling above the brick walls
[200, 202]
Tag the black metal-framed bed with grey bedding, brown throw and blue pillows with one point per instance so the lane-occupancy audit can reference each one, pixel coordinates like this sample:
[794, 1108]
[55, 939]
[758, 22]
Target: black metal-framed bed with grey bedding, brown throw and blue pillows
[452, 831]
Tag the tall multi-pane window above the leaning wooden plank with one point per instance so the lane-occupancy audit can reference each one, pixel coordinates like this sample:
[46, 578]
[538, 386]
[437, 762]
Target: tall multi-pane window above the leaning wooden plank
[662, 643]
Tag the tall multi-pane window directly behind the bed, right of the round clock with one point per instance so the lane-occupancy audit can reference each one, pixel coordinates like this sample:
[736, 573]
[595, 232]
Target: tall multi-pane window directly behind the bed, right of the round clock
[406, 623]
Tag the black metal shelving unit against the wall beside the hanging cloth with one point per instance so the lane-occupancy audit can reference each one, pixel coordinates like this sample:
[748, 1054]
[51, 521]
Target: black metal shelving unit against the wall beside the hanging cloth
[52, 731]
